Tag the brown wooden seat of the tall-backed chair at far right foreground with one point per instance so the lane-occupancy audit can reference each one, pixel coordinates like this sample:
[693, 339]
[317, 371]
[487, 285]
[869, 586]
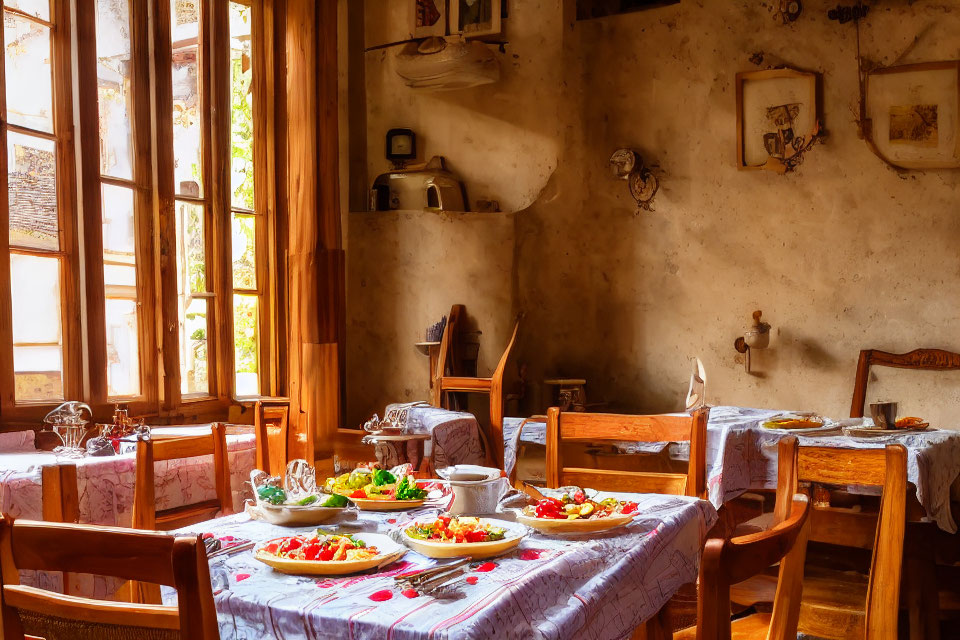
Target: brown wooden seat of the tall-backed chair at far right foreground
[833, 604]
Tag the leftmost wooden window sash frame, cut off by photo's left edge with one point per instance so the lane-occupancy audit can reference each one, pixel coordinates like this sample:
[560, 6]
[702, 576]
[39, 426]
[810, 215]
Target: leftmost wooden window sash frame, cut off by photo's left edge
[63, 136]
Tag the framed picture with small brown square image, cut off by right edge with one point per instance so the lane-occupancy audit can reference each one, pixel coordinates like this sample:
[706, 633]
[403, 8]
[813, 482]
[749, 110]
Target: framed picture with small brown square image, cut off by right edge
[912, 115]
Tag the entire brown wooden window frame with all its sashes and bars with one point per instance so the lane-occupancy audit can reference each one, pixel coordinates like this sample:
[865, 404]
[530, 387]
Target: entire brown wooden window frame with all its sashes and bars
[81, 219]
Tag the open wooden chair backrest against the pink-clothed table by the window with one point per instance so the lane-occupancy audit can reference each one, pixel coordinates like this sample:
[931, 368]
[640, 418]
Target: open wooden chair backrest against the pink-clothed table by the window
[145, 514]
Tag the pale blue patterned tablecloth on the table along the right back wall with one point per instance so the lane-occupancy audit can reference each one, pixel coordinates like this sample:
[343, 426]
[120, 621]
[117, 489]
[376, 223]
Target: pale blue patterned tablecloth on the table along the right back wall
[742, 455]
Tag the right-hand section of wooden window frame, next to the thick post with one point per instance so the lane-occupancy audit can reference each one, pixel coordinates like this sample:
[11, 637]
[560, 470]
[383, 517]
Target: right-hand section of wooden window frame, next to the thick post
[215, 98]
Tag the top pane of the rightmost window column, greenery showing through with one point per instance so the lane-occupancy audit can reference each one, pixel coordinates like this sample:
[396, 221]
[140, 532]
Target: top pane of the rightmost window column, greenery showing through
[241, 107]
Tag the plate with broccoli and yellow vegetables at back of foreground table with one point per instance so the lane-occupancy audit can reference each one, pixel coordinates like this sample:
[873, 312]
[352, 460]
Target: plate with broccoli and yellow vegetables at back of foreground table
[378, 489]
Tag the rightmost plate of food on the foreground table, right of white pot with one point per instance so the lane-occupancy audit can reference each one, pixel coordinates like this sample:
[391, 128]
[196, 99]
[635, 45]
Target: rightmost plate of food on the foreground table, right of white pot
[575, 513]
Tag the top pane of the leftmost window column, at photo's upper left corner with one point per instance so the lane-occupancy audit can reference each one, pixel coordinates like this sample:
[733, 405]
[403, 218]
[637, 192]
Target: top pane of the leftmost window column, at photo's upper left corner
[29, 75]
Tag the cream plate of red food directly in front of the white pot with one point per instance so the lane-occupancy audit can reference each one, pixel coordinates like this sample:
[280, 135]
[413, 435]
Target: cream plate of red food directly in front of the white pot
[454, 536]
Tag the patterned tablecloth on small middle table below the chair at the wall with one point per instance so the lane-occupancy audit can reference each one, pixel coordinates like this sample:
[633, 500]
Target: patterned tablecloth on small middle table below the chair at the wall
[455, 435]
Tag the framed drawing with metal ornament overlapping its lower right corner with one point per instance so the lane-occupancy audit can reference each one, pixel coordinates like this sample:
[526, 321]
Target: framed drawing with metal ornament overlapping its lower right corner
[778, 118]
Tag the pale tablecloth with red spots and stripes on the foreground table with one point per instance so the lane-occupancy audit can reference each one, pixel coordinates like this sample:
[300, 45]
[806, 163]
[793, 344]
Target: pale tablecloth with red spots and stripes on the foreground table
[597, 586]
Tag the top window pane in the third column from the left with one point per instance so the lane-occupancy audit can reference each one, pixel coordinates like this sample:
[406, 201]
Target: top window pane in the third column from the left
[187, 113]
